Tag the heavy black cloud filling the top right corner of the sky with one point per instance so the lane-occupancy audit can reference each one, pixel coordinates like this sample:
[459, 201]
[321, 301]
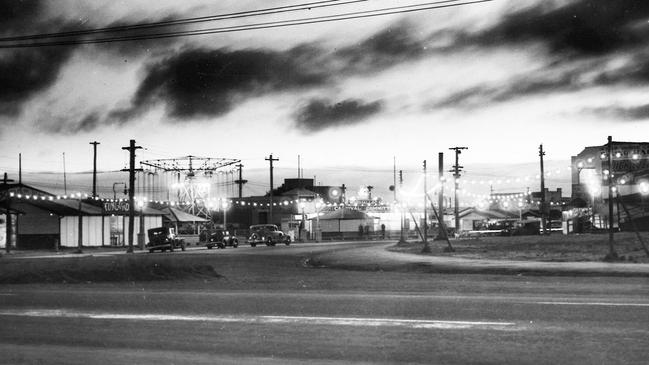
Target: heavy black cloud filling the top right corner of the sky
[585, 27]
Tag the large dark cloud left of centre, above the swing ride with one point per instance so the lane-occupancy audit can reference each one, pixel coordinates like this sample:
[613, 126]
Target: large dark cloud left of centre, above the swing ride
[201, 83]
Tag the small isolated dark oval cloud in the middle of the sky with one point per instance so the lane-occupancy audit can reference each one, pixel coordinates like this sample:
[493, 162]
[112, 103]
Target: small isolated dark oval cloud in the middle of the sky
[320, 114]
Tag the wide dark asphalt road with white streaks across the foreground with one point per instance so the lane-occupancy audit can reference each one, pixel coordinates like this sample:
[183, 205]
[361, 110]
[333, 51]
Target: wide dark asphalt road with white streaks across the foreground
[269, 307]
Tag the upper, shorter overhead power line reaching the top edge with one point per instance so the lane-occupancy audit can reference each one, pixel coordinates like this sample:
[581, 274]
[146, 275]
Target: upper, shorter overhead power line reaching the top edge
[184, 21]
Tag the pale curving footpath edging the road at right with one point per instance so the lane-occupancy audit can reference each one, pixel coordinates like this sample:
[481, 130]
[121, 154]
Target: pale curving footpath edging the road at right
[378, 257]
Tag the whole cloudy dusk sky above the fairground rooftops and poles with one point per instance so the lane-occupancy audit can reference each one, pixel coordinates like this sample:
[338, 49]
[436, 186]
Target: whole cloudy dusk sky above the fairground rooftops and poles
[499, 77]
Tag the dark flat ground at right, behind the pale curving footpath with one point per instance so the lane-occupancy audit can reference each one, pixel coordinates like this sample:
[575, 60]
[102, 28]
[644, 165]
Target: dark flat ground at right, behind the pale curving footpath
[554, 247]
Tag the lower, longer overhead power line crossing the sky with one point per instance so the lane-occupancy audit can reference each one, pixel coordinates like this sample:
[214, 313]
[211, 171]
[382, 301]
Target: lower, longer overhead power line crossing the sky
[266, 25]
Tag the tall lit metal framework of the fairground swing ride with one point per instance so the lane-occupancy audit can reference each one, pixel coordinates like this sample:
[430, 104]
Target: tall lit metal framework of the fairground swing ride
[191, 190]
